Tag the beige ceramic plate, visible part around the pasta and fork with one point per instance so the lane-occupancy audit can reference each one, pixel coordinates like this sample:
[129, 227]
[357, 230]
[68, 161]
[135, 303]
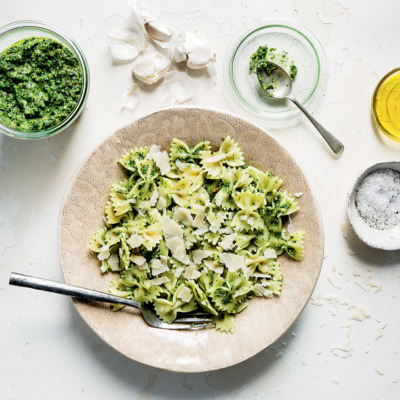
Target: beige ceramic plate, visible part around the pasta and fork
[263, 322]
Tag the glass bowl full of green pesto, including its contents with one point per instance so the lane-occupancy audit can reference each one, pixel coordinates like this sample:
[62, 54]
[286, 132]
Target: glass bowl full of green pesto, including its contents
[44, 80]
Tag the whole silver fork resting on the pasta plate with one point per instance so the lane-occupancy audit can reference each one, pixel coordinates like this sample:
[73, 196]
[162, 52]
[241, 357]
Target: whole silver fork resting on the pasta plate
[190, 321]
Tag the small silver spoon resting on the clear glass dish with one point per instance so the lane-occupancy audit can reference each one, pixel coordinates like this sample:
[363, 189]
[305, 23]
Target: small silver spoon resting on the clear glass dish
[281, 88]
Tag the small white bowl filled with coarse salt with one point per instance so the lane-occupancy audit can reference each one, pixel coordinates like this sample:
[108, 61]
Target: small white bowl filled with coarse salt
[373, 205]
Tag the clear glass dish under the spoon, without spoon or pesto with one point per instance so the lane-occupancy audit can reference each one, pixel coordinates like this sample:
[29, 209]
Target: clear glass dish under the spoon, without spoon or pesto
[302, 46]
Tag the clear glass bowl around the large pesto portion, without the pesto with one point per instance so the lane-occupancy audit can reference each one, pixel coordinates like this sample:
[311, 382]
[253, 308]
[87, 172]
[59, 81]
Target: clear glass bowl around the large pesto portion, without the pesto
[16, 31]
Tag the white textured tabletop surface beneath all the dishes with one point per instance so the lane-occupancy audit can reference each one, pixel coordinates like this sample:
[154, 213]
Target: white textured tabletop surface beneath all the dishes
[48, 351]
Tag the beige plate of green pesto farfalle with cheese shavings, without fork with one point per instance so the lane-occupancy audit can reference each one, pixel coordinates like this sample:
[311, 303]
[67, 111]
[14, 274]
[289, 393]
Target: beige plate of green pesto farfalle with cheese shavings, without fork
[192, 209]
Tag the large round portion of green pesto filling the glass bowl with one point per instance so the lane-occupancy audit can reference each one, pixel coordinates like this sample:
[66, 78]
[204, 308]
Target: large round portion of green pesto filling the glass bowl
[40, 84]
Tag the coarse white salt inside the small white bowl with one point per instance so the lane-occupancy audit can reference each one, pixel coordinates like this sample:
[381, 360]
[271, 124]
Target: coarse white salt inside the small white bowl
[377, 198]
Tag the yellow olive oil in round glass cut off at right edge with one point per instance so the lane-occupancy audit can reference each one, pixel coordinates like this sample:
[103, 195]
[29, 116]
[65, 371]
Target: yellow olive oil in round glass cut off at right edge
[386, 105]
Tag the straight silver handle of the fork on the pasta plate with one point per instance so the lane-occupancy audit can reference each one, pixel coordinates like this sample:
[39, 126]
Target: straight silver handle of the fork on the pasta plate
[68, 290]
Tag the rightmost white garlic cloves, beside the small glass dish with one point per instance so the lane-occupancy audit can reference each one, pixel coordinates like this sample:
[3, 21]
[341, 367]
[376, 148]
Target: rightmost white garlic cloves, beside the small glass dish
[192, 49]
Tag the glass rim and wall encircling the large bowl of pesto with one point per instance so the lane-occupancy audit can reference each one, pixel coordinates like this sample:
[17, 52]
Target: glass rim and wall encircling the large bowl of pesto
[64, 38]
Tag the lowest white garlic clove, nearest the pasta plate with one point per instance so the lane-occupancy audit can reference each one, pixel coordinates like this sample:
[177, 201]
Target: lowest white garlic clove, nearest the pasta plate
[150, 68]
